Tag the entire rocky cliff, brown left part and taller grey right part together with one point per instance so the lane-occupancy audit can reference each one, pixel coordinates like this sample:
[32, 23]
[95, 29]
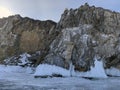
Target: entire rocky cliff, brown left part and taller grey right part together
[81, 36]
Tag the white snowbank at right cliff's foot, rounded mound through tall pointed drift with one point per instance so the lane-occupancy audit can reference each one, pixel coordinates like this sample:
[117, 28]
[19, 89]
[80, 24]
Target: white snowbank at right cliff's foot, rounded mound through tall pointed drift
[48, 70]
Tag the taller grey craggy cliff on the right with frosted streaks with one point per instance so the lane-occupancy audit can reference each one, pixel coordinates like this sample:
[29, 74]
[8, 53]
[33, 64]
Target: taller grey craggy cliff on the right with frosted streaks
[93, 32]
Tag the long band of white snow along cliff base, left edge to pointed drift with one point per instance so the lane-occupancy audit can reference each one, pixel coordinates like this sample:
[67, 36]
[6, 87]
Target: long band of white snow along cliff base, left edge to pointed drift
[49, 70]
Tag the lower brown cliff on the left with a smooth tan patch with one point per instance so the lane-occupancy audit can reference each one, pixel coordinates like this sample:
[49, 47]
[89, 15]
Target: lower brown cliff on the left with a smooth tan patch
[19, 35]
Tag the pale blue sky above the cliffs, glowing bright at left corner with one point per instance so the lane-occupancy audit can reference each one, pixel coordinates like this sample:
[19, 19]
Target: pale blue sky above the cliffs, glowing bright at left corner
[49, 9]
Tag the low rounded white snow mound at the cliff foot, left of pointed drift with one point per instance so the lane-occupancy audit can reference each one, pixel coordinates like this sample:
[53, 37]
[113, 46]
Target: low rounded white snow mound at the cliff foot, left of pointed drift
[45, 69]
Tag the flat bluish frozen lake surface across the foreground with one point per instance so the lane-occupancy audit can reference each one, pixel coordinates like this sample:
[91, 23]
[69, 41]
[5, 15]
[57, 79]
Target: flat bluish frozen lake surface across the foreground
[17, 81]
